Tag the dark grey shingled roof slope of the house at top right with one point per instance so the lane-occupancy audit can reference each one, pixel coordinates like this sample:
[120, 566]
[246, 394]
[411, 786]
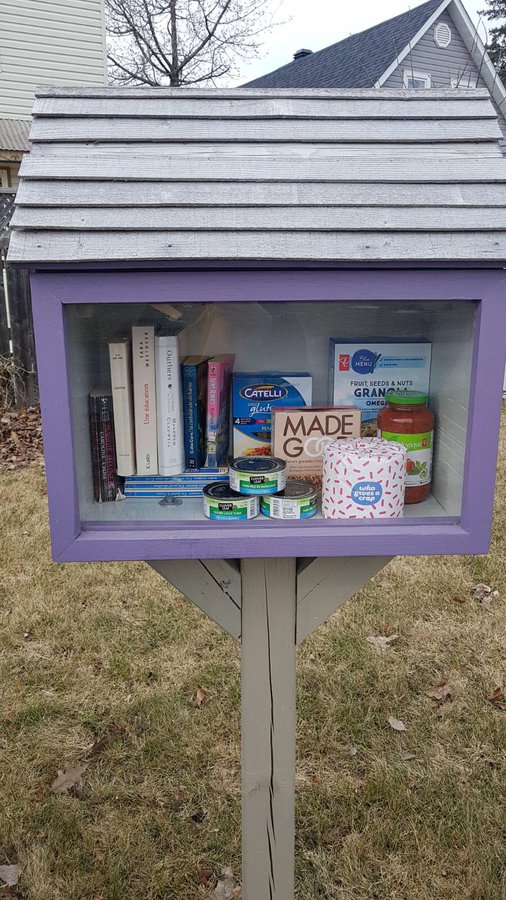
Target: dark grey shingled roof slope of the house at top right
[357, 61]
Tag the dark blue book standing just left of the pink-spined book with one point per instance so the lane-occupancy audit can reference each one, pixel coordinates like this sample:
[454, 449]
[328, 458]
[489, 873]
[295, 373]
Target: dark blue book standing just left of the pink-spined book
[194, 410]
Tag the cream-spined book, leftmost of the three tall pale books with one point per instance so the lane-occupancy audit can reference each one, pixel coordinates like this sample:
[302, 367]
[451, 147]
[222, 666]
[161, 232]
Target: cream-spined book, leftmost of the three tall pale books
[122, 402]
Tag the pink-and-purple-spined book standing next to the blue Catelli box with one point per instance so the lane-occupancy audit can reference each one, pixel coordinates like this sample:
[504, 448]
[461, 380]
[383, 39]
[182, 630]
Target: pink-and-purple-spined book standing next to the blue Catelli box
[219, 376]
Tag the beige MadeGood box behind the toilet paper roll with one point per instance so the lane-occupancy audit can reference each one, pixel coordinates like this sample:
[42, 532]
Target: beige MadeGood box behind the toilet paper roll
[299, 436]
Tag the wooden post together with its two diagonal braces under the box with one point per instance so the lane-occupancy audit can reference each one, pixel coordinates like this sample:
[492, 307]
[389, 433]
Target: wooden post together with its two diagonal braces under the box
[270, 605]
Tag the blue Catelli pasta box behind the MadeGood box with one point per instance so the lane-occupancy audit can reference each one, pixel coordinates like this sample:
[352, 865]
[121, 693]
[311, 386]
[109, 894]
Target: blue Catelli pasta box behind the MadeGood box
[253, 396]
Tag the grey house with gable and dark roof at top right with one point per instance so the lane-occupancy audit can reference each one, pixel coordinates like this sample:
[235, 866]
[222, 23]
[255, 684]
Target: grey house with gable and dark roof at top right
[435, 45]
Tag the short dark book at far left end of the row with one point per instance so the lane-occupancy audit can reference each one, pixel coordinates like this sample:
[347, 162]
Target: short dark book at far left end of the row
[103, 451]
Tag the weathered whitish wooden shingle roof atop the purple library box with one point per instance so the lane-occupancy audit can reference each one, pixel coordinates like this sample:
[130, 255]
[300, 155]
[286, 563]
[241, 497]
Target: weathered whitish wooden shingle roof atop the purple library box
[145, 174]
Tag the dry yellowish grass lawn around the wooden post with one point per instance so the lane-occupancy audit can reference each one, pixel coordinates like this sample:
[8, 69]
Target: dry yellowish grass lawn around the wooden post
[99, 665]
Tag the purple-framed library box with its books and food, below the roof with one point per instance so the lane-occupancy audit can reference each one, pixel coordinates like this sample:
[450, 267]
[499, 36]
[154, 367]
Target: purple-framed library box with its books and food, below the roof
[329, 340]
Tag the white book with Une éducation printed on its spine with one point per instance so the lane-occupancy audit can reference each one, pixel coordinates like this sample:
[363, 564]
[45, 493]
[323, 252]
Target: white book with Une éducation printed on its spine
[143, 358]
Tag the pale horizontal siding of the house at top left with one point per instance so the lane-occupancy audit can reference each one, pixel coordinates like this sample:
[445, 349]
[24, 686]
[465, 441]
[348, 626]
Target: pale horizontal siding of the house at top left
[48, 42]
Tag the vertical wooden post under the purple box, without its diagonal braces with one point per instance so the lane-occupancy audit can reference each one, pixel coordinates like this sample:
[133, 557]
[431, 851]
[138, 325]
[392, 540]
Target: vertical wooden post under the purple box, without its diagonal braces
[268, 712]
